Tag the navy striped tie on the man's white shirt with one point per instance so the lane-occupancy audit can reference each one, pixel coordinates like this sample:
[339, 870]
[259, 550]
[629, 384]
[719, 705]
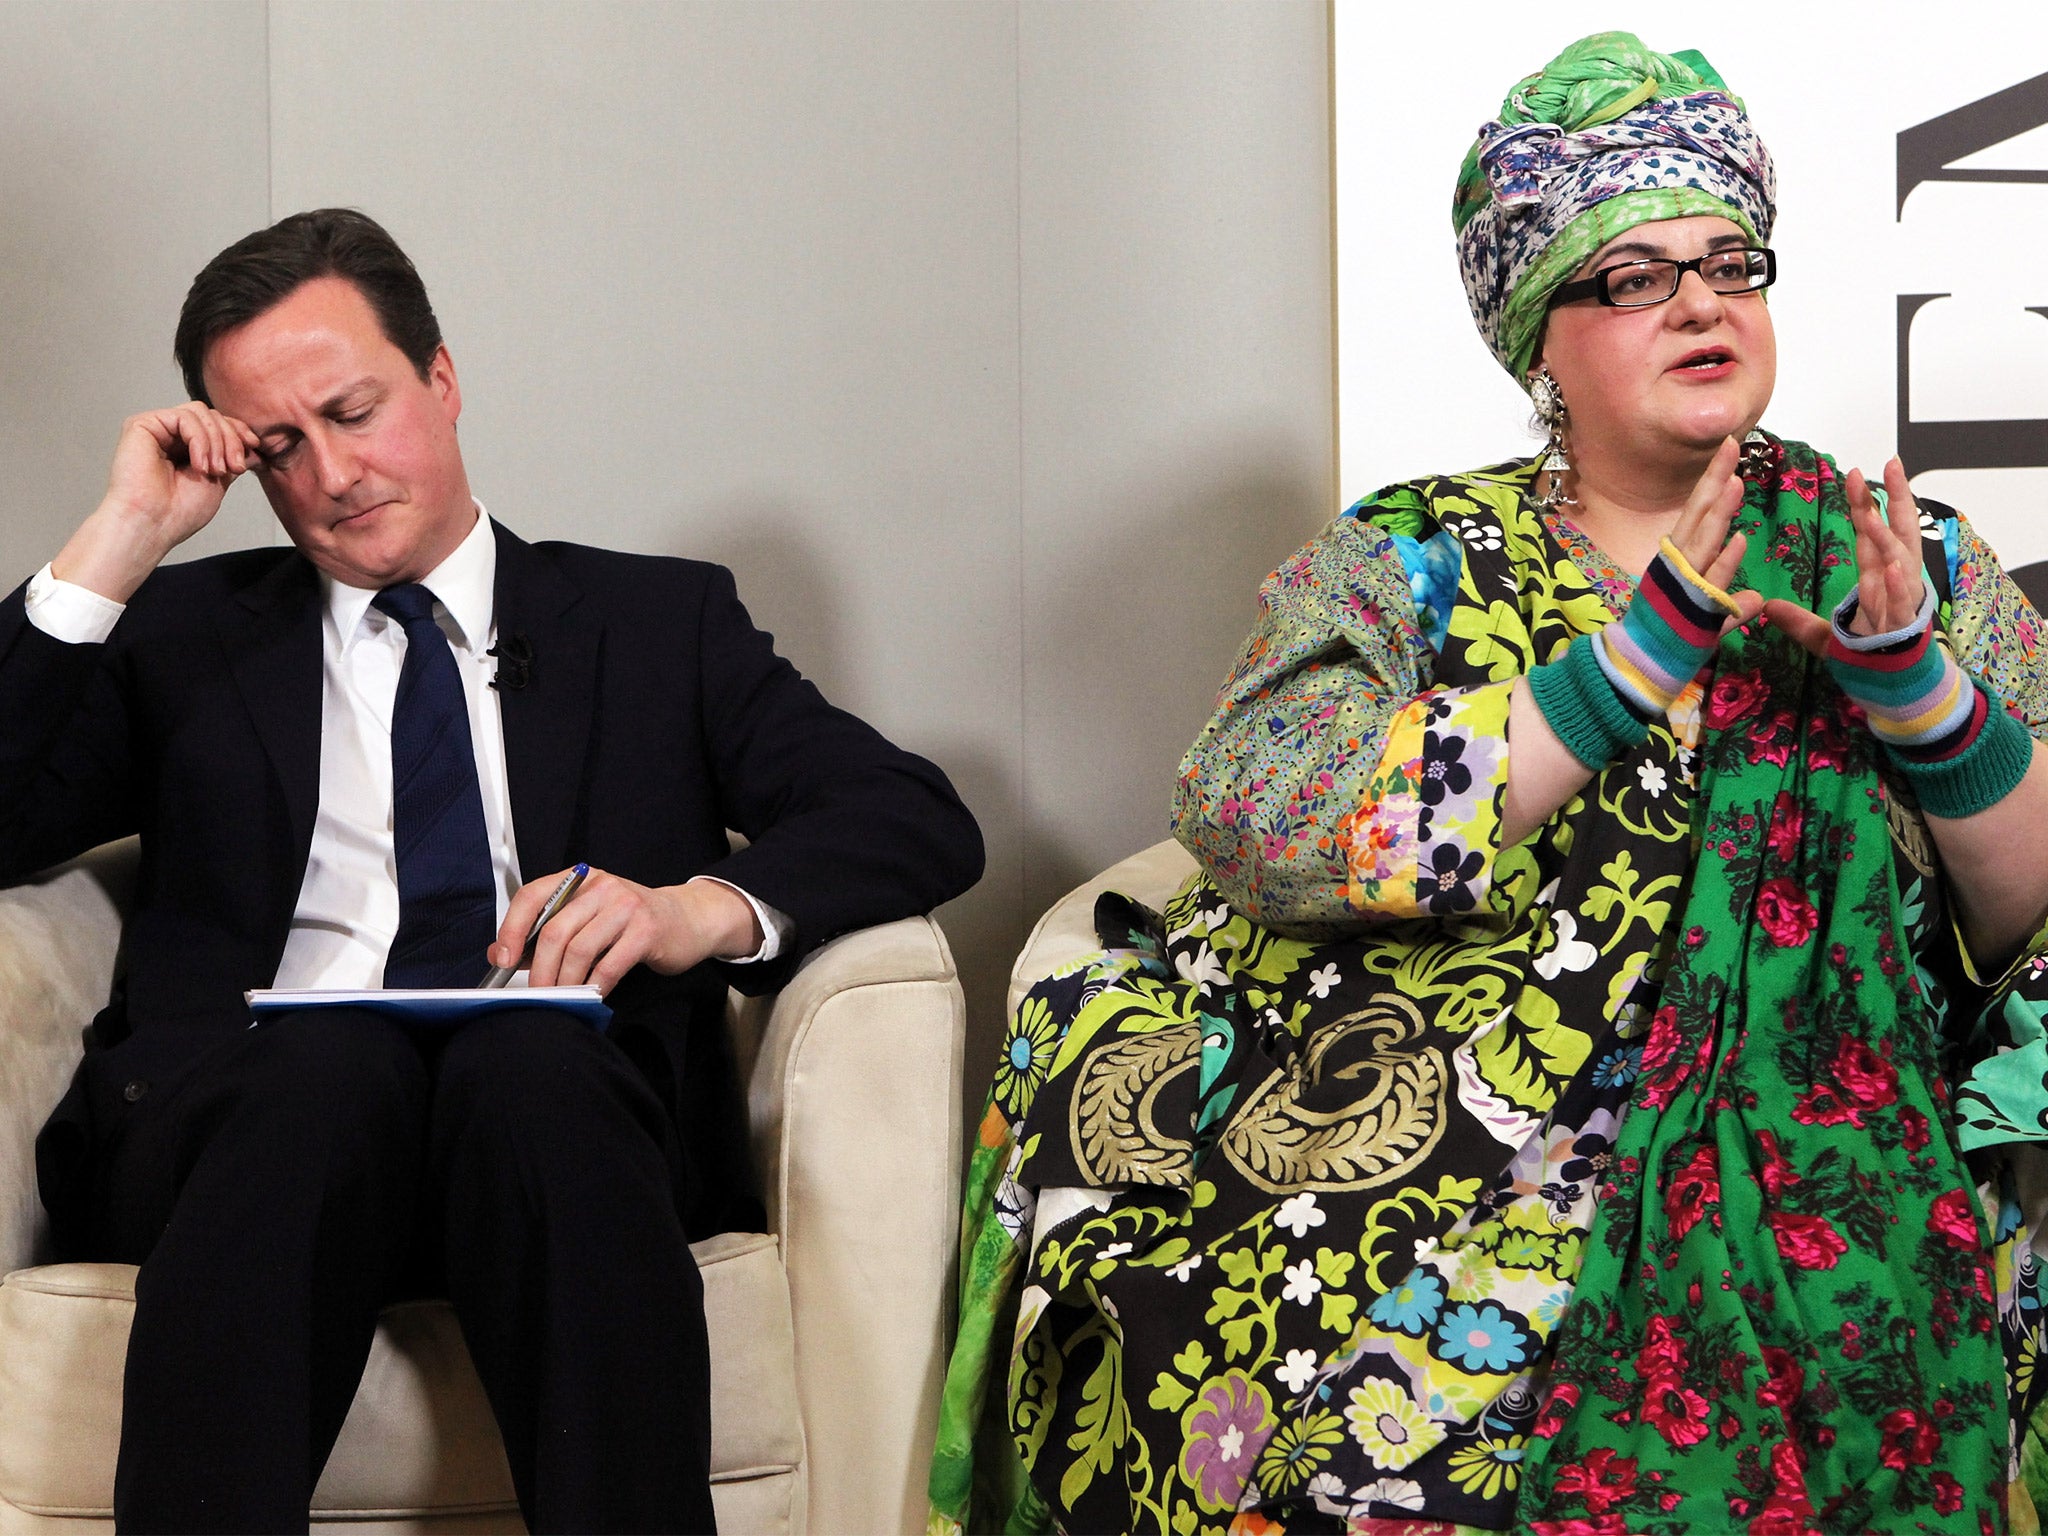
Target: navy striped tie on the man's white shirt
[447, 908]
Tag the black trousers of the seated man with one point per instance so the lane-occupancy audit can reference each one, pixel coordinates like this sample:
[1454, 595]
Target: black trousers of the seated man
[286, 1185]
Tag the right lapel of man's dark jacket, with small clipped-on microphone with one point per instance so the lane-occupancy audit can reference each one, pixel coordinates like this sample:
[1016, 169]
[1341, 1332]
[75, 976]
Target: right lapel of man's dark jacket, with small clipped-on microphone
[550, 710]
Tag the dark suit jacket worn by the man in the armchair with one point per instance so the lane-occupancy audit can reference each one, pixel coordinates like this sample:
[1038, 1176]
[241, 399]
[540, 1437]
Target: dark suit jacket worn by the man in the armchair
[654, 716]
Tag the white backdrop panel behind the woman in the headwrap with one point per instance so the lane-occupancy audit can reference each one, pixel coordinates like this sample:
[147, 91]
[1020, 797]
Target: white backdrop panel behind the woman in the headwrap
[1832, 87]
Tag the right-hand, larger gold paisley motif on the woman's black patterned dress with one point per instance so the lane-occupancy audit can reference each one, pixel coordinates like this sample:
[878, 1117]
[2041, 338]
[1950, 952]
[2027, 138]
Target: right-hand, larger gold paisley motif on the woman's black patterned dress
[1375, 1136]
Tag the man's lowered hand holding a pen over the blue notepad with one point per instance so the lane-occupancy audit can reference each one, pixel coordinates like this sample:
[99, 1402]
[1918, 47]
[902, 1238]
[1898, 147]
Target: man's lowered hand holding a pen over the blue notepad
[613, 925]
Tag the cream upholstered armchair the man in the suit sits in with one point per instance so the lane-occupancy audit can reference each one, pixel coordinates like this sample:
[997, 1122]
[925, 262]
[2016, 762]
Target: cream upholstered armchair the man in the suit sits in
[828, 1334]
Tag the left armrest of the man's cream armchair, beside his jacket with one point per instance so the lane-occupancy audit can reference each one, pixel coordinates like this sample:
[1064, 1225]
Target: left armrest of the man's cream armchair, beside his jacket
[58, 939]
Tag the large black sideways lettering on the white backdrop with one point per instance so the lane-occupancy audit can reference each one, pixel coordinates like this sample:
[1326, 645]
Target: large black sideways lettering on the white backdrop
[1928, 153]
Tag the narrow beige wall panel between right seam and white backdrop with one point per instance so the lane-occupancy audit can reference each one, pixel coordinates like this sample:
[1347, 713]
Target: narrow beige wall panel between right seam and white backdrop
[1177, 386]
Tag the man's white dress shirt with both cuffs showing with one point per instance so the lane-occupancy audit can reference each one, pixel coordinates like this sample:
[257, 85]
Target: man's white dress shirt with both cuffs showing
[347, 912]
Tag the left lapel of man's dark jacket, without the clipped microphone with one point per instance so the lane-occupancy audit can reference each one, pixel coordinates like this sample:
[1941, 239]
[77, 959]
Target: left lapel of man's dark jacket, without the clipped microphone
[271, 636]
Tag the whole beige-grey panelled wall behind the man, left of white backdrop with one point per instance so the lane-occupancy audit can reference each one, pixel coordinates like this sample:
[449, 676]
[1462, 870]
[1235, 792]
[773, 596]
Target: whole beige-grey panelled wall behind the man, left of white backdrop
[990, 343]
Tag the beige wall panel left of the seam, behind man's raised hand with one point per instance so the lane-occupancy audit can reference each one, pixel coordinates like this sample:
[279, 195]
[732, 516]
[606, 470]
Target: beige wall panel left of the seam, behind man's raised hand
[136, 146]
